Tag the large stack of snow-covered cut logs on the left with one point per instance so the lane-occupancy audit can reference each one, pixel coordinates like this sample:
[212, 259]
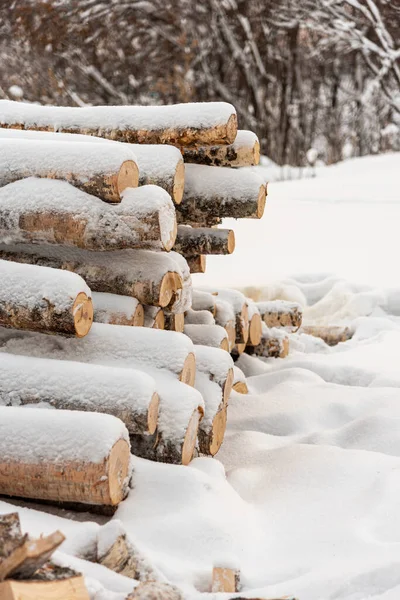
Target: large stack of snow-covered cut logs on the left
[104, 214]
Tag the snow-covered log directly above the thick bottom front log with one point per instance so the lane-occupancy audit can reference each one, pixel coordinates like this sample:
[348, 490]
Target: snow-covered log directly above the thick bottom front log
[127, 394]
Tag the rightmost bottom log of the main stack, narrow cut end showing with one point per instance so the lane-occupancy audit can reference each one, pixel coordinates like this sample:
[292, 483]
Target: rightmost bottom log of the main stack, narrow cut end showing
[213, 425]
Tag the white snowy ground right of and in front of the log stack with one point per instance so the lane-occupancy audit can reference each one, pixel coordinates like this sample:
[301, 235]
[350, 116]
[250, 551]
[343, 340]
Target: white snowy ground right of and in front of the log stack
[304, 494]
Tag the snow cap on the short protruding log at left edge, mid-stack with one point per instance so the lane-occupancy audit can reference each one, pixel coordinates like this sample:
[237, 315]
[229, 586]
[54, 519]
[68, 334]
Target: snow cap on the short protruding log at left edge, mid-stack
[33, 286]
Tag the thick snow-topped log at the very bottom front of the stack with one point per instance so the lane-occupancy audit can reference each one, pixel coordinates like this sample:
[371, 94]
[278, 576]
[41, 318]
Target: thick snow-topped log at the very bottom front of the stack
[65, 456]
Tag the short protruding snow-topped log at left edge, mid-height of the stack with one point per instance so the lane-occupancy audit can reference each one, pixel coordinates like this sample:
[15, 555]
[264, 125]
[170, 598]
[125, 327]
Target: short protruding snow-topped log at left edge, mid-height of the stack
[42, 299]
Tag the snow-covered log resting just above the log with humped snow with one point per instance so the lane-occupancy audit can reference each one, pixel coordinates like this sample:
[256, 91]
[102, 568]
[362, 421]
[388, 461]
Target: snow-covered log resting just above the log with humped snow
[99, 170]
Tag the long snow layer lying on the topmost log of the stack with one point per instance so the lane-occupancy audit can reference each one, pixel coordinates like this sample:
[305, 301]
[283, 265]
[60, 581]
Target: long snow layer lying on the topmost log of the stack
[108, 118]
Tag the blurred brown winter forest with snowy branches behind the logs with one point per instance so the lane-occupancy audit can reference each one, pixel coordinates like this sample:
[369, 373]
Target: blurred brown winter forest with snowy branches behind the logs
[321, 74]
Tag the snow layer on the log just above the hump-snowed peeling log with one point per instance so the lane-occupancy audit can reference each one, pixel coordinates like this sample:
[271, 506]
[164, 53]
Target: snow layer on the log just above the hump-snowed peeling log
[39, 156]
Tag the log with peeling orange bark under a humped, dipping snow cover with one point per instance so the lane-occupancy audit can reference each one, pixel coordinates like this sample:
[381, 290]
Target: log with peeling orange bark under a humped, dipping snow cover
[45, 211]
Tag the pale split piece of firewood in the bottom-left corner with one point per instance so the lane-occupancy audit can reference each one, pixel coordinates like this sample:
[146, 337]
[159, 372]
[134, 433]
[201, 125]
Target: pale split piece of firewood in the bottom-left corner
[73, 588]
